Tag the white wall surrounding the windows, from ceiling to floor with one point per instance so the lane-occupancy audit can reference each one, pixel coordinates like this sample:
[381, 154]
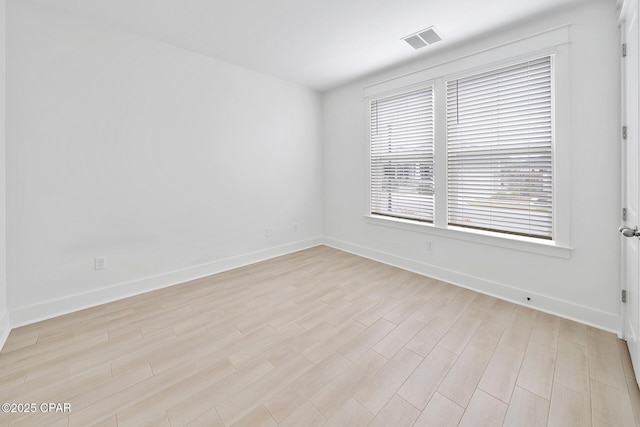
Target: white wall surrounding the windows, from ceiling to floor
[585, 286]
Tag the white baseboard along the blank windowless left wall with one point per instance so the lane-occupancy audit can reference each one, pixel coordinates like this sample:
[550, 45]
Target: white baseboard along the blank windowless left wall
[68, 304]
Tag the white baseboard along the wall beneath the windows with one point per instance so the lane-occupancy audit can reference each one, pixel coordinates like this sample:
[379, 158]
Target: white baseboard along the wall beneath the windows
[566, 309]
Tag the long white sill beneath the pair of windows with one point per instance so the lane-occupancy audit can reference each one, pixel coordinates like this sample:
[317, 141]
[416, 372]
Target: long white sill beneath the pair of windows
[520, 243]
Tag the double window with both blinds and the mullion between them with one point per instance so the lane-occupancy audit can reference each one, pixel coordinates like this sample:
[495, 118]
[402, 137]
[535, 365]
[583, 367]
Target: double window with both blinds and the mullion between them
[493, 145]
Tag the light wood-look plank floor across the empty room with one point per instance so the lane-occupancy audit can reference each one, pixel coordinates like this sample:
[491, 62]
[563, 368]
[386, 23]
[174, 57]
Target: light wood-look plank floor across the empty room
[317, 338]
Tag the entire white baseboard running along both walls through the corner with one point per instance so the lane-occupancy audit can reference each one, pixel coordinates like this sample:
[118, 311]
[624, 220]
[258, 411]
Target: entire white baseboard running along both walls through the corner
[53, 308]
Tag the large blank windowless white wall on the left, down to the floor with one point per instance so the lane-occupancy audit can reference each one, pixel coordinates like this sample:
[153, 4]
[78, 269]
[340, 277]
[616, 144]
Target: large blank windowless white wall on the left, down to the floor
[171, 164]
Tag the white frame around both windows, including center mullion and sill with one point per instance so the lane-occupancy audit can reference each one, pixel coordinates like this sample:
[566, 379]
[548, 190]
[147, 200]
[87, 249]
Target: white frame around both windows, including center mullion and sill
[554, 43]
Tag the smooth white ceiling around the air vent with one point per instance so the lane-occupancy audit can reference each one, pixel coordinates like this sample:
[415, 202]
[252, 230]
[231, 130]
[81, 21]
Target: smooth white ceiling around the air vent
[316, 43]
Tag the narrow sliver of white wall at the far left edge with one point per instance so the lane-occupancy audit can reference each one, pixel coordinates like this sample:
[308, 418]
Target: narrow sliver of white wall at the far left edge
[4, 314]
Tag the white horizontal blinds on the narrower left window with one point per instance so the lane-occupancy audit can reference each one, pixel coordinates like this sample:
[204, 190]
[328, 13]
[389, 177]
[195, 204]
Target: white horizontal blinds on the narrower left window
[402, 155]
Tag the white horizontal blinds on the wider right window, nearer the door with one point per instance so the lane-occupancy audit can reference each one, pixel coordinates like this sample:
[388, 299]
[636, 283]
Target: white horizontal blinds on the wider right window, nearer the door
[499, 150]
